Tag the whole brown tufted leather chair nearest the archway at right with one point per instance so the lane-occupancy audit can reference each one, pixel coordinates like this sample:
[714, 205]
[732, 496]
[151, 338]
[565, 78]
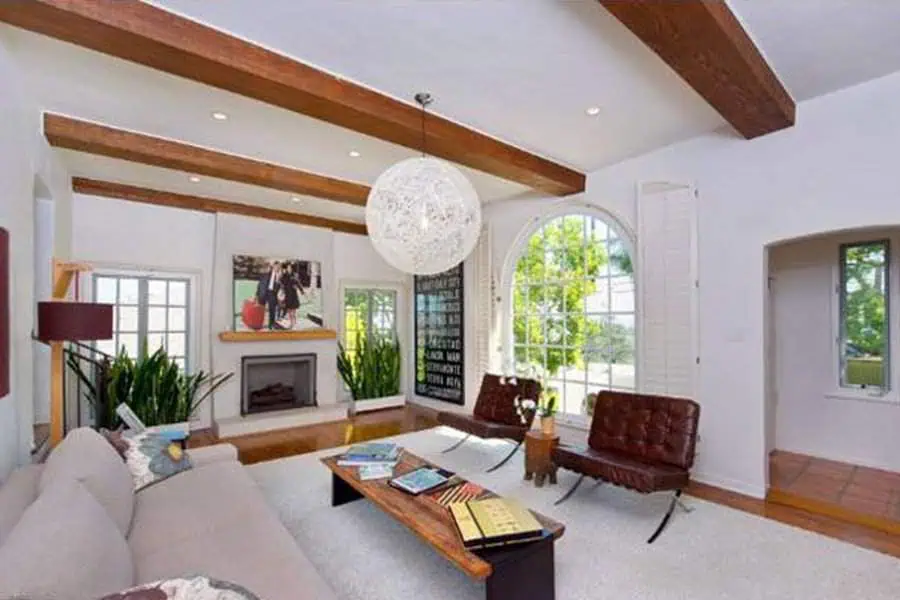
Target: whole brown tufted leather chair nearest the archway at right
[642, 442]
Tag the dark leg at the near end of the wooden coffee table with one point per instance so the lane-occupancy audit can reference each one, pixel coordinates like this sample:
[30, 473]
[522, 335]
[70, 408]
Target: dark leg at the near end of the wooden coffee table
[524, 571]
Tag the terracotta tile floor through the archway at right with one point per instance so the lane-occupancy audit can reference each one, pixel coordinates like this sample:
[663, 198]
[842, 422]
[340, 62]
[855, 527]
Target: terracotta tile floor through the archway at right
[871, 491]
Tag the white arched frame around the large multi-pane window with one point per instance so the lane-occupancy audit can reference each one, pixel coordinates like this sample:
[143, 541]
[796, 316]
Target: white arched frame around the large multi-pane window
[561, 209]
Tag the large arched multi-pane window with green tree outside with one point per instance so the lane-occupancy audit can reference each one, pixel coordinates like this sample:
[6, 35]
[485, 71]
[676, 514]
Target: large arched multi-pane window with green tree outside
[573, 309]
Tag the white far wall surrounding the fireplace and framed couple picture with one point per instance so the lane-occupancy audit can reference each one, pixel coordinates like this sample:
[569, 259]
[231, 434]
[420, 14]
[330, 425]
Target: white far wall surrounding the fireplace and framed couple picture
[113, 233]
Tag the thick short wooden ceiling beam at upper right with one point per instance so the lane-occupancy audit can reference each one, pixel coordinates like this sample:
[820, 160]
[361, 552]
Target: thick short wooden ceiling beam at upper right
[706, 45]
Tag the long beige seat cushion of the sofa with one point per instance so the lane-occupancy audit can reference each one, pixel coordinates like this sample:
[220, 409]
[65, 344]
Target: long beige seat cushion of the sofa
[205, 520]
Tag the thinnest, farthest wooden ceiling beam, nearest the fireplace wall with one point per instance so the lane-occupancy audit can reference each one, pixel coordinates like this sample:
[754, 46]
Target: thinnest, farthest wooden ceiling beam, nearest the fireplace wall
[108, 189]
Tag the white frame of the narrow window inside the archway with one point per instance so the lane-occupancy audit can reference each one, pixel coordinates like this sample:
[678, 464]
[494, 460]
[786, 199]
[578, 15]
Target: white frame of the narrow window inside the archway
[892, 394]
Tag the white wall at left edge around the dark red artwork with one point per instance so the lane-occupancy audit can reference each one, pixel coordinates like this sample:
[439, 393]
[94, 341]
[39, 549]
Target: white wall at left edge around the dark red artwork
[24, 158]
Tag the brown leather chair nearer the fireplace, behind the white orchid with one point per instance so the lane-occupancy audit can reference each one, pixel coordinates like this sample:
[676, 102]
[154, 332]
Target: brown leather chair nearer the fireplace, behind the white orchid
[495, 414]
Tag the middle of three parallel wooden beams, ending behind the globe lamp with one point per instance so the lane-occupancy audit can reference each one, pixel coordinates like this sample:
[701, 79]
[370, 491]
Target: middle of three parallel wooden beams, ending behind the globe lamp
[65, 132]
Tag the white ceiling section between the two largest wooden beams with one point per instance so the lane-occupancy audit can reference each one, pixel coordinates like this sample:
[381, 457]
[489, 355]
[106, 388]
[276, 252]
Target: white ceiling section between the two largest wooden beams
[523, 71]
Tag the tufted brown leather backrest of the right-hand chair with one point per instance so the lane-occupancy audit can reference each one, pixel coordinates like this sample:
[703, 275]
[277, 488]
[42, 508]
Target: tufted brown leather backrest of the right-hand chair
[651, 429]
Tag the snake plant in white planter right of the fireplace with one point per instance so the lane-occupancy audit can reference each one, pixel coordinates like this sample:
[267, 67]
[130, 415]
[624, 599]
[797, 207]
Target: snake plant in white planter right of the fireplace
[372, 372]
